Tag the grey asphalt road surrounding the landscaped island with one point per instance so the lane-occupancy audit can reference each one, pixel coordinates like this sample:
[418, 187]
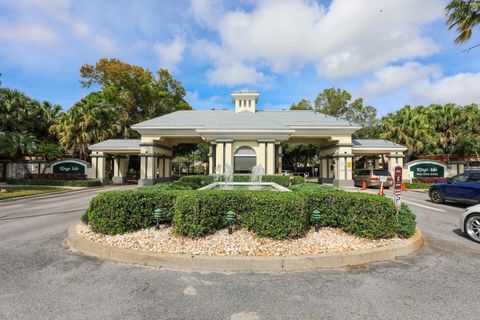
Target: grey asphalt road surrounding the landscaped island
[41, 279]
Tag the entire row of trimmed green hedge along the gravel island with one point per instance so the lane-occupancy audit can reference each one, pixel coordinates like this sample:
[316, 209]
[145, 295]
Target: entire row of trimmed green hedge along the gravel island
[277, 215]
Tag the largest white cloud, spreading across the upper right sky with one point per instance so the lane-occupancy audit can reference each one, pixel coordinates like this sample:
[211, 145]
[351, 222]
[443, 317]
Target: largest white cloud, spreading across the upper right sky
[347, 38]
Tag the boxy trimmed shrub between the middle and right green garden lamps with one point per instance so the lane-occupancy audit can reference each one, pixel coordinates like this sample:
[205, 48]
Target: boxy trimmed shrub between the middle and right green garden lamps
[278, 215]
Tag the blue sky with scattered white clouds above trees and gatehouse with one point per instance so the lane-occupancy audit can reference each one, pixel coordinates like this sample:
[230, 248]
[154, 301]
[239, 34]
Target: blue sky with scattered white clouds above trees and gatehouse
[389, 52]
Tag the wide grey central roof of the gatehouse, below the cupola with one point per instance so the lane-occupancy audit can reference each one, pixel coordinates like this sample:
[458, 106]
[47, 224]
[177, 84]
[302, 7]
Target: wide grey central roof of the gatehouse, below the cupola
[228, 119]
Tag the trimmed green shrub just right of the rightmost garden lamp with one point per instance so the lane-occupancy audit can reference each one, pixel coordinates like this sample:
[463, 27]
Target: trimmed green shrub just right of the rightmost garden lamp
[363, 215]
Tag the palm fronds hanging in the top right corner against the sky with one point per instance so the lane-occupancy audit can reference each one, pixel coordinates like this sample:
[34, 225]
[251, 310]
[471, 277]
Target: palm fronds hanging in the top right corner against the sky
[463, 15]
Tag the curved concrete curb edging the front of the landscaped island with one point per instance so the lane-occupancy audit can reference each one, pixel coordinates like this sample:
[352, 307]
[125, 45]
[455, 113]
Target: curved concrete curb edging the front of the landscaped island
[242, 263]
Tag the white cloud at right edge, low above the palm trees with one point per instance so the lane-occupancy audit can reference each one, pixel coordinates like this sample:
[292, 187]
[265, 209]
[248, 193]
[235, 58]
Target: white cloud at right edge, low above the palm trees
[461, 88]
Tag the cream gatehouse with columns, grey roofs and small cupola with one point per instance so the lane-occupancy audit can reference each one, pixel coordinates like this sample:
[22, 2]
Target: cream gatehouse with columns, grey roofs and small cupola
[243, 137]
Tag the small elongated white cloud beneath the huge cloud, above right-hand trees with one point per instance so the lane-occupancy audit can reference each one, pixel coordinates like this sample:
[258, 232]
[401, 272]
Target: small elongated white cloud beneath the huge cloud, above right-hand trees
[392, 78]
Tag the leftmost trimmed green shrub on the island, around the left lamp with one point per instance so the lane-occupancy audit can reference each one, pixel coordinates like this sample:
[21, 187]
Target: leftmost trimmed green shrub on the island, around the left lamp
[117, 212]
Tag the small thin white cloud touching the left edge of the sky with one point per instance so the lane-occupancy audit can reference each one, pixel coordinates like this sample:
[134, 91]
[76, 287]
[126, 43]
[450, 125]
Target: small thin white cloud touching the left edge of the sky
[29, 34]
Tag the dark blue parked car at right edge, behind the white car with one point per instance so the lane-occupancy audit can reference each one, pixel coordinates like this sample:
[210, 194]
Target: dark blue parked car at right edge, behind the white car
[464, 188]
